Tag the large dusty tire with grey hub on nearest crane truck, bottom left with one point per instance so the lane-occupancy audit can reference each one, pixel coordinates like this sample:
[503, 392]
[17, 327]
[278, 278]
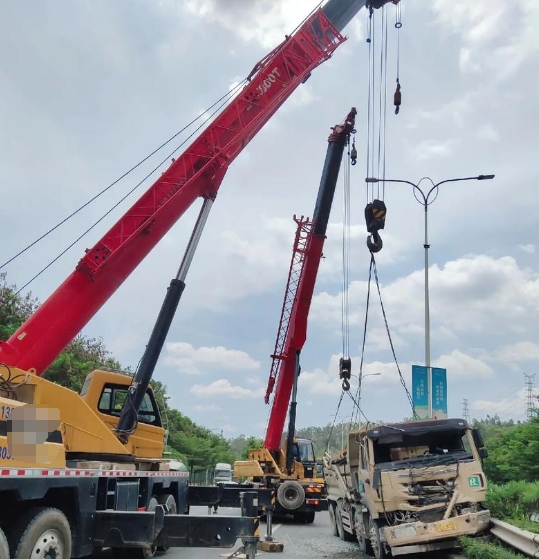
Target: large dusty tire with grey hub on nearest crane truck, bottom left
[41, 532]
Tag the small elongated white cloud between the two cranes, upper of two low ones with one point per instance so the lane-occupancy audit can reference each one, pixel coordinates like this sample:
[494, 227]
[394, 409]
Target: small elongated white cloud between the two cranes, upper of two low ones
[194, 361]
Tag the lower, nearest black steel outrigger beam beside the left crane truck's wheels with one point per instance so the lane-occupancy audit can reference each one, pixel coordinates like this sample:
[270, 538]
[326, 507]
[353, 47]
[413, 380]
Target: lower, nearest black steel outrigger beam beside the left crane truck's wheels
[138, 529]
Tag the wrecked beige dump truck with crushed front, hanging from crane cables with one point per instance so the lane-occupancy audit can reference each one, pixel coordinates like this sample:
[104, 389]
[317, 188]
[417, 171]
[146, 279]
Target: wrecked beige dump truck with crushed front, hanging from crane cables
[408, 487]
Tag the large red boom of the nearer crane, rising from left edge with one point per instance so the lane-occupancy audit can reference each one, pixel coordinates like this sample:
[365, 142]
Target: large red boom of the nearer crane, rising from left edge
[198, 172]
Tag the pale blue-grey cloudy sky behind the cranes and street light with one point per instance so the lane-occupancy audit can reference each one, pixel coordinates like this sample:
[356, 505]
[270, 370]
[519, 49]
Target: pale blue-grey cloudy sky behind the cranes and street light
[89, 88]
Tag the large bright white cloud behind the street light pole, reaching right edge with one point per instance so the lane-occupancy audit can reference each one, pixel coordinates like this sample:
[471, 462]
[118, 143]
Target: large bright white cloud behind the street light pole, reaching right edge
[468, 296]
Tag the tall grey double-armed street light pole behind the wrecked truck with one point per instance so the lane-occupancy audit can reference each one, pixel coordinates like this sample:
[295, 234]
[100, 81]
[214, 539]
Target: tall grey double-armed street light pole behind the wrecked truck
[425, 201]
